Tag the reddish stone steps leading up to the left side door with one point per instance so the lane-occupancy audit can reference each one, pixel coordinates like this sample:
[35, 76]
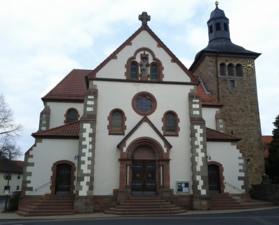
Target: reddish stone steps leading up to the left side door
[49, 205]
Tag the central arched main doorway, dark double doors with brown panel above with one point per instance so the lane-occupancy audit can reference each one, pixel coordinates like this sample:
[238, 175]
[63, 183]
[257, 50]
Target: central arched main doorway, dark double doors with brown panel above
[144, 168]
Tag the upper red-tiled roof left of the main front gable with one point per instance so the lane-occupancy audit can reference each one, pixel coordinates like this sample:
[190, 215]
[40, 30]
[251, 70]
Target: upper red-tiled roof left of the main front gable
[72, 87]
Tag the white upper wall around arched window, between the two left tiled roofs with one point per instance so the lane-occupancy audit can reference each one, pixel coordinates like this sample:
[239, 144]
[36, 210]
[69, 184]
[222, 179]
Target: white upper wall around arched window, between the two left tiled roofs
[58, 111]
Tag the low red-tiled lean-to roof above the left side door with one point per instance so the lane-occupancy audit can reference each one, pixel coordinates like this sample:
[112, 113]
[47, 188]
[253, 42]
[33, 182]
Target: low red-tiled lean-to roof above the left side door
[70, 130]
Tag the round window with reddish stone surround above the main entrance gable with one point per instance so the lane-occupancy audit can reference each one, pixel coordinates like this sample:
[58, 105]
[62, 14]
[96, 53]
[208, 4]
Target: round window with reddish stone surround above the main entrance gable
[144, 103]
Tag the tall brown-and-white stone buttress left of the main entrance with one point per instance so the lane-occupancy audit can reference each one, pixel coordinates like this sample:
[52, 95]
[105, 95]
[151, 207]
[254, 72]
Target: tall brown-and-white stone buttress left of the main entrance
[84, 200]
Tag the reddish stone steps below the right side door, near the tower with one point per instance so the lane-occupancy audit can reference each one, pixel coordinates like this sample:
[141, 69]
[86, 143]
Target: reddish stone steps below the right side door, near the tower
[227, 202]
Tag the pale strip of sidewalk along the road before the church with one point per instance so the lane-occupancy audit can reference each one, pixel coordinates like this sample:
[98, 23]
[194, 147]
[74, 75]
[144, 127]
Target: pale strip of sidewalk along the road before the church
[5, 216]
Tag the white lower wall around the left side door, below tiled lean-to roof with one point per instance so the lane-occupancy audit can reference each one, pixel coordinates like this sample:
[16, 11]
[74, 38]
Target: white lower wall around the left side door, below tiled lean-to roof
[45, 154]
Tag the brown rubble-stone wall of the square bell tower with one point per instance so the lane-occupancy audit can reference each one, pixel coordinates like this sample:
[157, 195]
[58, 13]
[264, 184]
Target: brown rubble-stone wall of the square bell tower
[240, 110]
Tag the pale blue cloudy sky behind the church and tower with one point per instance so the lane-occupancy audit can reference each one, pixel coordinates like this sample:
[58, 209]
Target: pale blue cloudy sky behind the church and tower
[42, 41]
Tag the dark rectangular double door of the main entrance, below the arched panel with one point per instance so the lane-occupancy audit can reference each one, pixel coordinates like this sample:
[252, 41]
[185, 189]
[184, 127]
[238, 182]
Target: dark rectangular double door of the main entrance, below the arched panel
[144, 177]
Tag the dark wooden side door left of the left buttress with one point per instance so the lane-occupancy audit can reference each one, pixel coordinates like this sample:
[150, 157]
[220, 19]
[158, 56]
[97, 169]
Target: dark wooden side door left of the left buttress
[63, 179]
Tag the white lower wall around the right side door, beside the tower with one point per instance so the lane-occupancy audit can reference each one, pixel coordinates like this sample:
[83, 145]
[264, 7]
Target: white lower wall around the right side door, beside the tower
[227, 154]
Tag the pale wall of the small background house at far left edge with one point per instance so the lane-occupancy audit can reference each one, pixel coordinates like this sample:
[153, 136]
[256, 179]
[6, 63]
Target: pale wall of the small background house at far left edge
[13, 183]
